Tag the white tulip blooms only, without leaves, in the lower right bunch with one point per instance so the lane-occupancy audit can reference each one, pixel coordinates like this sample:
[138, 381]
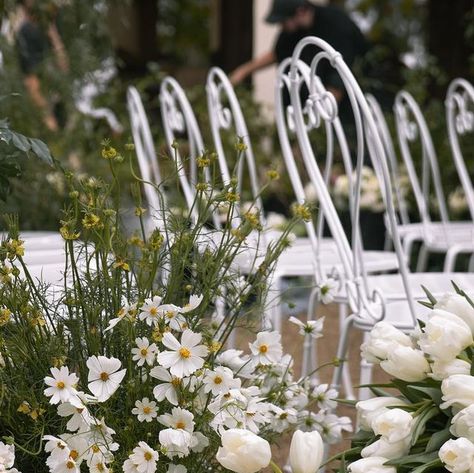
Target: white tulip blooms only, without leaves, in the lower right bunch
[437, 351]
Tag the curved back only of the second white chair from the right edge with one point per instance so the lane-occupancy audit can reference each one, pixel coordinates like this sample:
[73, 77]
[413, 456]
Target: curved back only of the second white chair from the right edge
[411, 126]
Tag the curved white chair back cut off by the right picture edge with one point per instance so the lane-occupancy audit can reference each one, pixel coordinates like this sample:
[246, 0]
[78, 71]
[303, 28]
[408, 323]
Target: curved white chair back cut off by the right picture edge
[460, 119]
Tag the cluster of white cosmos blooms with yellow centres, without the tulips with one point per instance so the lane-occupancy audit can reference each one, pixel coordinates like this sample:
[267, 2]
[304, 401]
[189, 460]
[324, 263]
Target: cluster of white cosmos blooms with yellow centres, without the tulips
[196, 391]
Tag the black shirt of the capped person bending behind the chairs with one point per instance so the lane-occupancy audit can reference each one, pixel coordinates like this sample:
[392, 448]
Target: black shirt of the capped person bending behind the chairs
[336, 28]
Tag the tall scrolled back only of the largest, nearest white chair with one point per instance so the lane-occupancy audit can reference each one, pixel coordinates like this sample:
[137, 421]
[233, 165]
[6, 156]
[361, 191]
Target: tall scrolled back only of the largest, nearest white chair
[364, 301]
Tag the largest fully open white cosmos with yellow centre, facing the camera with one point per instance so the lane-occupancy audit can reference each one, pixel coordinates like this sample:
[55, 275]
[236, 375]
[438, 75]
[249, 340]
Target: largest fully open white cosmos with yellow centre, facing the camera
[184, 357]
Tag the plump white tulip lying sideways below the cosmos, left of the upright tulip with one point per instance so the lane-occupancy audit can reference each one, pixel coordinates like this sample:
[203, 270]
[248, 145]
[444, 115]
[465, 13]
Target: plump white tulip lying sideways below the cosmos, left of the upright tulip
[243, 452]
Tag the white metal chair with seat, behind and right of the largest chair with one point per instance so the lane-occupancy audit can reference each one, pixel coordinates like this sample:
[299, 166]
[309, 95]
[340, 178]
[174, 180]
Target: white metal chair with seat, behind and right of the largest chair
[438, 236]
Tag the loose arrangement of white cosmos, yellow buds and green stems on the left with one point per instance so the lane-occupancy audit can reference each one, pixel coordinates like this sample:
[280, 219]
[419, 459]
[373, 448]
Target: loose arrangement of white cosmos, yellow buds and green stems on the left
[127, 363]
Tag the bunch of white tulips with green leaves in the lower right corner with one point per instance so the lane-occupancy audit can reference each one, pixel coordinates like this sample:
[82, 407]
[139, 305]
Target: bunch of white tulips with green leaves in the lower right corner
[426, 422]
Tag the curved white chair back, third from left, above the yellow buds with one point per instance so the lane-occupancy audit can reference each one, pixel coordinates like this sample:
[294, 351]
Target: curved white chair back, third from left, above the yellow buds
[225, 114]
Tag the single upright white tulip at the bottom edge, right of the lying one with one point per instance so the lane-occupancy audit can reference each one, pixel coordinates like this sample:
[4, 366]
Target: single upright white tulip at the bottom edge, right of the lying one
[306, 452]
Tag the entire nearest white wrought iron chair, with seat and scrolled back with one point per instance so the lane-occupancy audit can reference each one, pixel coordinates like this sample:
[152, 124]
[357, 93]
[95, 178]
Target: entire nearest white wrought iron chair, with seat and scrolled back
[372, 298]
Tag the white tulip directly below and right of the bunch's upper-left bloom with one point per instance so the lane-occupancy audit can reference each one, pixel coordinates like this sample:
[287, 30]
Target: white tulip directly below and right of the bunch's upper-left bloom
[407, 364]
